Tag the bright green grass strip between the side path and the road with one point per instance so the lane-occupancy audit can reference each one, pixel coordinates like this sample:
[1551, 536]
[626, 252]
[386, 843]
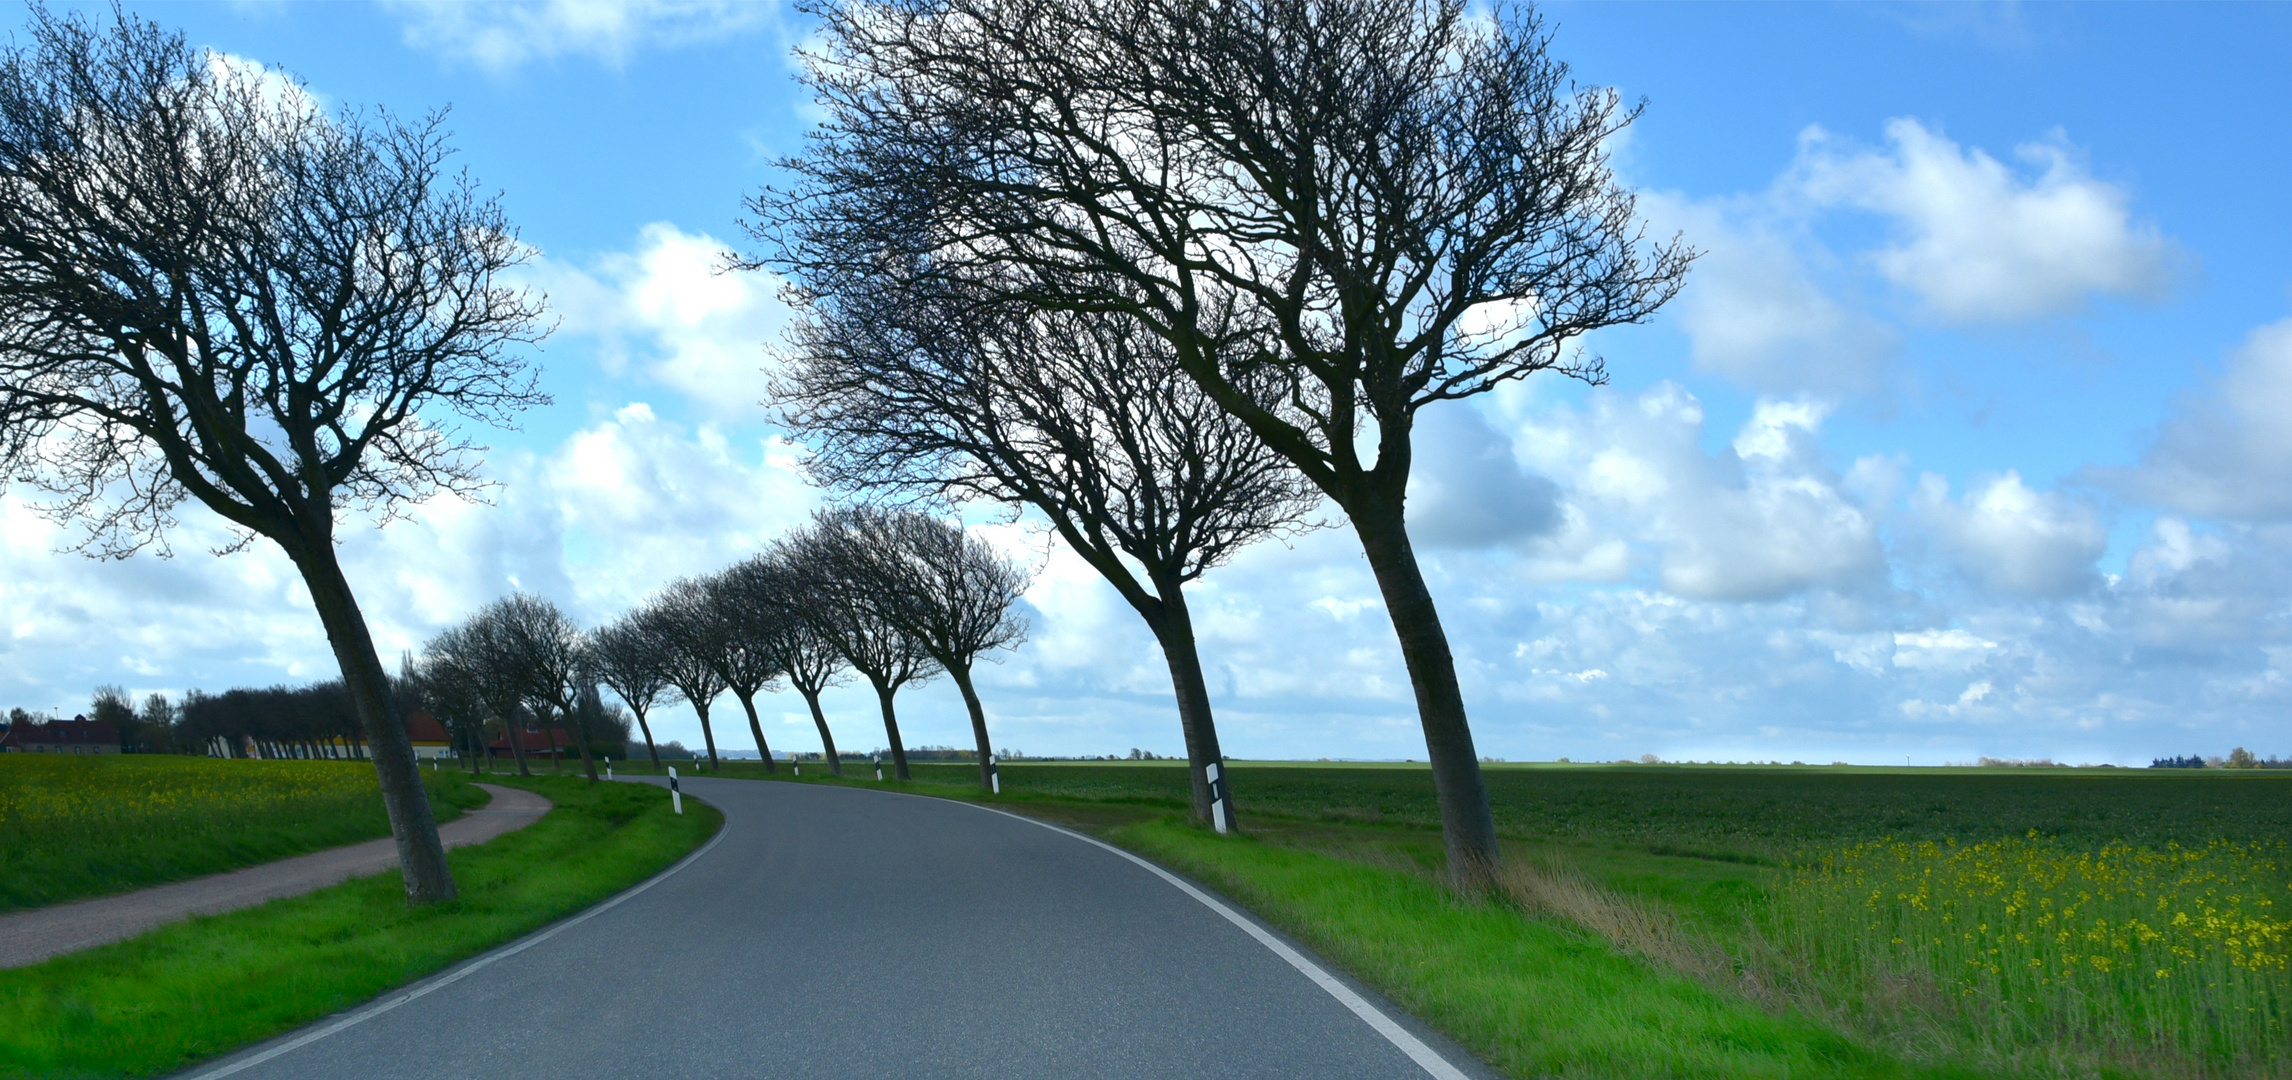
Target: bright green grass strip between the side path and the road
[212, 985]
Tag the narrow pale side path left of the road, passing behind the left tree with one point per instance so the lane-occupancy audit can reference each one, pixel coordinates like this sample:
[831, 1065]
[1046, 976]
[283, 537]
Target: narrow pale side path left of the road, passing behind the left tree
[33, 937]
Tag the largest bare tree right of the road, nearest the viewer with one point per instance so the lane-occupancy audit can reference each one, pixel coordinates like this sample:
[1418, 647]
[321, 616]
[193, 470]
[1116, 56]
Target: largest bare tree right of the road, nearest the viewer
[1408, 201]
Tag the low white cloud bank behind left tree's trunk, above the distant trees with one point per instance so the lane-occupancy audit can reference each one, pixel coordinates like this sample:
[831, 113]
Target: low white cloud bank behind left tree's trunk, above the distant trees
[595, 524]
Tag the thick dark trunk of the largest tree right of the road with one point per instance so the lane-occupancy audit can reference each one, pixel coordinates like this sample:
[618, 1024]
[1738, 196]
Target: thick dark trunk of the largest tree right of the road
[1468, 827]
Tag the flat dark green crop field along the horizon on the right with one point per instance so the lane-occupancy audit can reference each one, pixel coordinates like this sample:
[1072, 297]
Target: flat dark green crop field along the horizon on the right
[1727, 813]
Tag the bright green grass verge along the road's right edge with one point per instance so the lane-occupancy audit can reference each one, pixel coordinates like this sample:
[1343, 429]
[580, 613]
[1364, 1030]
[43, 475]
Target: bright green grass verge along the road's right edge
[1530, 996]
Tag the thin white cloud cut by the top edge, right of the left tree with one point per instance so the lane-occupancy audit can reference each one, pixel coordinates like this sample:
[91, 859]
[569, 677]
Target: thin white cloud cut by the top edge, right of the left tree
[512, 33]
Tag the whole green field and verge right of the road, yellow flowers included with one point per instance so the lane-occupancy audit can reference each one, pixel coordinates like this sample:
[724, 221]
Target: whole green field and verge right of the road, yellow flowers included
[1755, 921]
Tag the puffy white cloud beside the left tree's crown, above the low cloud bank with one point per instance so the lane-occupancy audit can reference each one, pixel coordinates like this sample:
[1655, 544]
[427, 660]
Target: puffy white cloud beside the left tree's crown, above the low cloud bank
[675, 313]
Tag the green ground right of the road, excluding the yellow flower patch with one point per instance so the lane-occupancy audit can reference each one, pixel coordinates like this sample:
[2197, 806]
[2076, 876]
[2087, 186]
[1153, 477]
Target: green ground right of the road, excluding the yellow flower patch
[1663, 879]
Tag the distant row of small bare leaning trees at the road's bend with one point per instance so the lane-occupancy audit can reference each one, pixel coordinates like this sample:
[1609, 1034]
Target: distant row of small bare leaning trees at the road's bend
[893, 595]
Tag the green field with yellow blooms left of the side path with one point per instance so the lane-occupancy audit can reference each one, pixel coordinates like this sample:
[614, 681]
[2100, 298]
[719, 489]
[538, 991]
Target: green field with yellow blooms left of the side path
[91, 827]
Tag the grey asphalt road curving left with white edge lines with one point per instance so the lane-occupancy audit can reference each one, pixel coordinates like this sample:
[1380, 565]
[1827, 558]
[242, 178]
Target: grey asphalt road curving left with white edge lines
[865, 934]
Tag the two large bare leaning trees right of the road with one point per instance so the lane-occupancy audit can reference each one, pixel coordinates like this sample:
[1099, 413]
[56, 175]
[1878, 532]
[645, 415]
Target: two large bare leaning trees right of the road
[1170, 269]
